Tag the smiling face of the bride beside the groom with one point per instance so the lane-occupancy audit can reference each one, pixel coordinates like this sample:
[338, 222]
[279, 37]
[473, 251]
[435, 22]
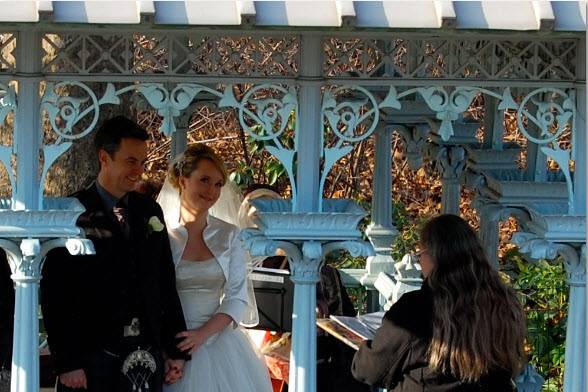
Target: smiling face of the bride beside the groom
[202, 188]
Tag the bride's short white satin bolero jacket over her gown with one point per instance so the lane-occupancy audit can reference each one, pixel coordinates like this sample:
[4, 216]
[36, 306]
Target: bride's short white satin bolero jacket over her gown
[224, 242]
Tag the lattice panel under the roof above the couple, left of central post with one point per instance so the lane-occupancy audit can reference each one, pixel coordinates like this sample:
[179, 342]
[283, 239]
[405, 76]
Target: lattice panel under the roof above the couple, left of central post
[170, 54]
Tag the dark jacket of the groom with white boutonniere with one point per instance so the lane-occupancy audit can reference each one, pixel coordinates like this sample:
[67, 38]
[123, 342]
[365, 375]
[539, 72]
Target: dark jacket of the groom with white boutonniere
[87, 300]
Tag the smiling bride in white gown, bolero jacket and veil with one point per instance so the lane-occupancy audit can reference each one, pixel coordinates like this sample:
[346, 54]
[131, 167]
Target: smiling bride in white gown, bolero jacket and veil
[211, 279]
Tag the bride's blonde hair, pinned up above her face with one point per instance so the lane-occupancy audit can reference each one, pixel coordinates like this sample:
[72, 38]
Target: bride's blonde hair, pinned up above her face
[184, 164]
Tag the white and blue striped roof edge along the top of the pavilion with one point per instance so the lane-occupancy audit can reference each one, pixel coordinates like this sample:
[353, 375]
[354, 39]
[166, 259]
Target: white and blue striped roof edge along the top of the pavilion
[390, 14]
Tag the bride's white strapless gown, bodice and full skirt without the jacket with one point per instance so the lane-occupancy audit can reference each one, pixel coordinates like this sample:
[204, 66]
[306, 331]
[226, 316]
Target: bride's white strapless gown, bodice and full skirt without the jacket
[227, 361]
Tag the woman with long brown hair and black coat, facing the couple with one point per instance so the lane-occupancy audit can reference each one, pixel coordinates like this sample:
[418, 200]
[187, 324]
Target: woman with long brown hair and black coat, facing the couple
[464, 329]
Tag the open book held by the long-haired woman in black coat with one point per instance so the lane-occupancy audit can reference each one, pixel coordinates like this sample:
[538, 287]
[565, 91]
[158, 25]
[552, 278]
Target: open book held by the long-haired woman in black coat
[352, 330]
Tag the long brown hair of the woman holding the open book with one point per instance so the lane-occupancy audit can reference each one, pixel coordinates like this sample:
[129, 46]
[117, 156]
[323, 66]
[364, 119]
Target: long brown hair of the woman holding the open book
[478, 323]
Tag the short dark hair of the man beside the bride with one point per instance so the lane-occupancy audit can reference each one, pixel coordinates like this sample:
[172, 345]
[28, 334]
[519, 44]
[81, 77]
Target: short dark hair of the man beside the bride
[113, 130]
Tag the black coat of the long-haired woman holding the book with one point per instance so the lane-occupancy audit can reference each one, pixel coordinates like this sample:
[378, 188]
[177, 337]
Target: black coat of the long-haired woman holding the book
[397, 357]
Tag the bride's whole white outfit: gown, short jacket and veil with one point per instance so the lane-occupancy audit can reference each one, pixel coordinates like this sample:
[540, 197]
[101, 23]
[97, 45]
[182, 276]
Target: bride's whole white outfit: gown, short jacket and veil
[227, 361]
